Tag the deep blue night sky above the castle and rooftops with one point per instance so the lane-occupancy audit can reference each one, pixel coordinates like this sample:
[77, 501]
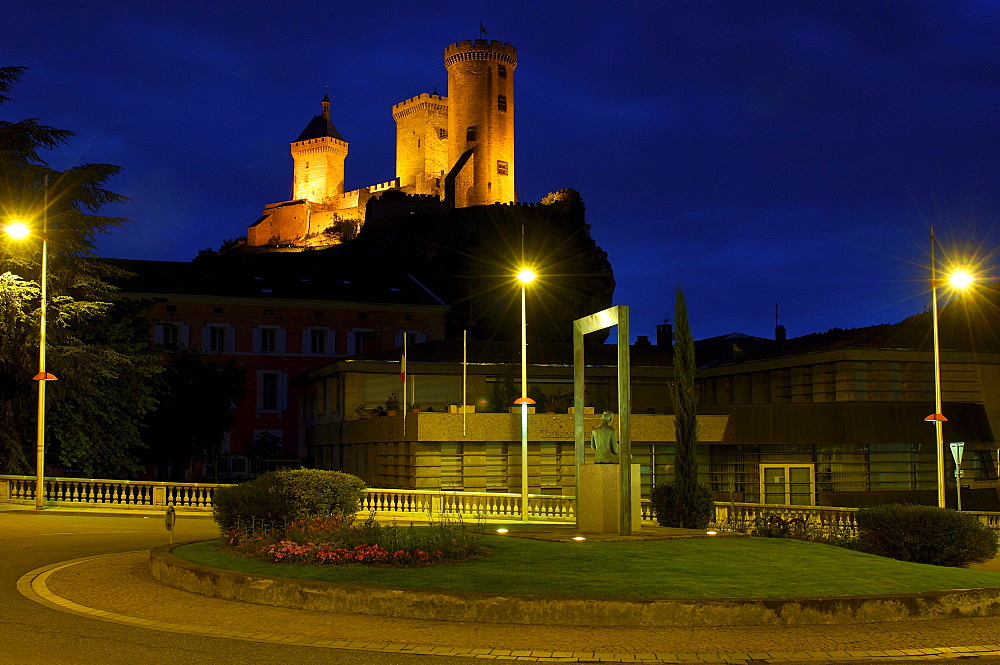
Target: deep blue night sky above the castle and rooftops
[752, 152]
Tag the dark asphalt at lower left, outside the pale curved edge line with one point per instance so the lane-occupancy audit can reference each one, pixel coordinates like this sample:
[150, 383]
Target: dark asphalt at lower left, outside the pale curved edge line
[32, 634]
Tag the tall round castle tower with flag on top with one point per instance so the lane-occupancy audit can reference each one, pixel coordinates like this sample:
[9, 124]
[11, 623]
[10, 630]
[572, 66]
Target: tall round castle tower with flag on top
[481, 120]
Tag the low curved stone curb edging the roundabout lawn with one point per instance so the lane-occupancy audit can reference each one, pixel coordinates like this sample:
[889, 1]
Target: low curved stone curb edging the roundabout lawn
[471, 606]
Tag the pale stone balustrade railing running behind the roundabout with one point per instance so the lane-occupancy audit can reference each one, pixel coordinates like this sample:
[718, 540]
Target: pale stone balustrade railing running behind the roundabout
[87, 493]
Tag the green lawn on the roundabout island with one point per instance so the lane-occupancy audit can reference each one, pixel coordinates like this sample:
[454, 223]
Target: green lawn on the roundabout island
[681, 568]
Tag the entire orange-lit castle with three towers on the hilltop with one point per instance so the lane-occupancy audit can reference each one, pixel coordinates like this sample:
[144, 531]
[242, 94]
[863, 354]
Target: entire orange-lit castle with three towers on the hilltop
[457, 149]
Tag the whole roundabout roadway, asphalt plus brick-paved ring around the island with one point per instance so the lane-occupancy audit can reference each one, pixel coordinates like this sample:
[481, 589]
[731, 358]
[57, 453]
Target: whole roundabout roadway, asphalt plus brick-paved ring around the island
[33, 633]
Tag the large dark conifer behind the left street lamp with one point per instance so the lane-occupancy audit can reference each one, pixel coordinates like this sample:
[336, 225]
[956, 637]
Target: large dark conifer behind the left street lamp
[98, 351]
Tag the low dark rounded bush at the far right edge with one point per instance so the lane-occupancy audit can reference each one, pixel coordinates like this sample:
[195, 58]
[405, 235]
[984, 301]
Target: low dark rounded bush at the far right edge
[925, 534]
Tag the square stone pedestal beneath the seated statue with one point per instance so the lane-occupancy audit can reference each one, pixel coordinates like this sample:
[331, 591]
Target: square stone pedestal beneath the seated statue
[598, 506]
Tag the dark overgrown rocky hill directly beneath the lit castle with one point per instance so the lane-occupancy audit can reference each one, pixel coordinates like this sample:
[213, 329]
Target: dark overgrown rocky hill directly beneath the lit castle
[469, 256]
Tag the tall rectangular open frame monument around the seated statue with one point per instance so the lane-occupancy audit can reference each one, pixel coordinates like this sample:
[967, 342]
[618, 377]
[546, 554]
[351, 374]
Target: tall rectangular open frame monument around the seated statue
[606, 318]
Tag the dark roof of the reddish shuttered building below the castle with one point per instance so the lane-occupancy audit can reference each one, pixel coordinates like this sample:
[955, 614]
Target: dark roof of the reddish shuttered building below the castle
[278, 276]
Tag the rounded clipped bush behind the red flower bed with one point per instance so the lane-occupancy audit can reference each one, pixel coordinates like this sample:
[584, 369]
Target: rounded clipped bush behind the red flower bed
[274, 499]
